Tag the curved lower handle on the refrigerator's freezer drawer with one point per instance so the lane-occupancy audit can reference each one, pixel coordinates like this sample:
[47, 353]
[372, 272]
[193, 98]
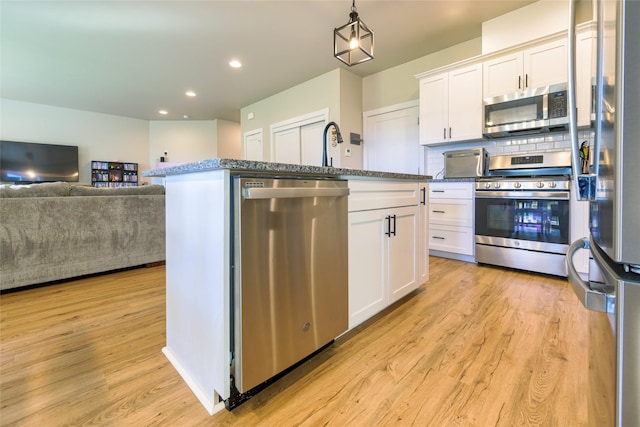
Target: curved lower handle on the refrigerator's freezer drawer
[590, 298]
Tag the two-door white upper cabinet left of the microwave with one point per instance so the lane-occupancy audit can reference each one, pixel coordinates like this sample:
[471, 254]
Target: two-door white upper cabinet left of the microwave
[451, 106]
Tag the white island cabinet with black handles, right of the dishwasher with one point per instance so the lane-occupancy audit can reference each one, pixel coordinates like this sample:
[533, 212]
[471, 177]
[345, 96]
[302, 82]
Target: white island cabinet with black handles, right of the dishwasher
[383, 247]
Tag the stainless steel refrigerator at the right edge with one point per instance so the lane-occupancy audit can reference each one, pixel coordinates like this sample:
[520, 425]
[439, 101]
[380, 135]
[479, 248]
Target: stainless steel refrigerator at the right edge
[613, 190]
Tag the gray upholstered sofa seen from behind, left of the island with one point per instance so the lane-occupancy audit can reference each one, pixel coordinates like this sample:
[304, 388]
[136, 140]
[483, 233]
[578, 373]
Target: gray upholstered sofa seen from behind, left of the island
[55, 231]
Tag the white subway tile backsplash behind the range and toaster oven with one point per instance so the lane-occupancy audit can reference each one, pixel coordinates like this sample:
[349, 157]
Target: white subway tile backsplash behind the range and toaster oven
[434, 160]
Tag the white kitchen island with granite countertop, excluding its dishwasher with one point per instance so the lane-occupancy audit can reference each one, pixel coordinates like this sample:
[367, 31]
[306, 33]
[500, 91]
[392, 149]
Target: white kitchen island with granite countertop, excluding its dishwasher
[387, 256]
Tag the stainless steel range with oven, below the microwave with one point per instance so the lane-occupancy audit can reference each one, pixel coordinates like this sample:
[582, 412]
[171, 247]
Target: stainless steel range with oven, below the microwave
[523, 212]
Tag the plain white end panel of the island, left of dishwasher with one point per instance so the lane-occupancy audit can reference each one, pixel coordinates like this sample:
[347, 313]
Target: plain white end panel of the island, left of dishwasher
[198, 258]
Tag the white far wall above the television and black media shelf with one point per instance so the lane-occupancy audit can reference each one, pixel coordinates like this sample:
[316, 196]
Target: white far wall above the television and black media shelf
[98, 136]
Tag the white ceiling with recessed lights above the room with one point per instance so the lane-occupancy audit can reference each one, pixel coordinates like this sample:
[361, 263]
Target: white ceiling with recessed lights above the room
[132, 58]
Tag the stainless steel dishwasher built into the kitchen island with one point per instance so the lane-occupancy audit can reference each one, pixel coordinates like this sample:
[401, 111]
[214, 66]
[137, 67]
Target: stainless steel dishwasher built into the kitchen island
[290, 274]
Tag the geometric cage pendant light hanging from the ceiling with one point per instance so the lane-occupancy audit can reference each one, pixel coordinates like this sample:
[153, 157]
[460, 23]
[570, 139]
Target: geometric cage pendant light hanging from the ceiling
[353, 42]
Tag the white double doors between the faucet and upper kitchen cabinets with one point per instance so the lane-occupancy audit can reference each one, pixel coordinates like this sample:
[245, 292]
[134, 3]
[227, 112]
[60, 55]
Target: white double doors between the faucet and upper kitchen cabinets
[392, 141]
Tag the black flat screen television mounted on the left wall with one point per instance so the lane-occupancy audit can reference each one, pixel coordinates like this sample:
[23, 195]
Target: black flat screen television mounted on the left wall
[25, 162]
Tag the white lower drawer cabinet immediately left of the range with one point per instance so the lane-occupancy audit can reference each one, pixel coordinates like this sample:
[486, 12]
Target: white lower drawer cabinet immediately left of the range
[451, 220]
